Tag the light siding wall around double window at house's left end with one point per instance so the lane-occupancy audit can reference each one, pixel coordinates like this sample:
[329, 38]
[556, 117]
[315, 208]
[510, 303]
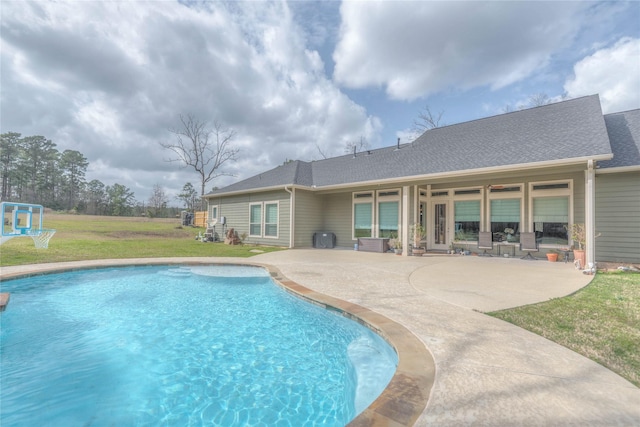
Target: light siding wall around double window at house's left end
[236, 211]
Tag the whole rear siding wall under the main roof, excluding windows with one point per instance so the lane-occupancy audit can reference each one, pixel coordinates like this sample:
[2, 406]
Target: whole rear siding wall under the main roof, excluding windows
[326, 212]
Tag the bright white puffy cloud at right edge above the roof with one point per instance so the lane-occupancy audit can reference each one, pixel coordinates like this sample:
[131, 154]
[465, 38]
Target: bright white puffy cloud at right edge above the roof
[613, 72]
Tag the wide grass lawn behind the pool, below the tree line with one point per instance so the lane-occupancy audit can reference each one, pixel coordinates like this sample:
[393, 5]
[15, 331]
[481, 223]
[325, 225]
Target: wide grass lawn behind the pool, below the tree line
[84, 237]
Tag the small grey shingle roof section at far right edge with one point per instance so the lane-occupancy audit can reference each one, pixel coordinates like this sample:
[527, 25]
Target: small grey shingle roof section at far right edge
[624, 134]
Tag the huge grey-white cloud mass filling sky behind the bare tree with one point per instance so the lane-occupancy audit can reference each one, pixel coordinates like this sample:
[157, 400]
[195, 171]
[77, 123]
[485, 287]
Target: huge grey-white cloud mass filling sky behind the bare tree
[110, 78]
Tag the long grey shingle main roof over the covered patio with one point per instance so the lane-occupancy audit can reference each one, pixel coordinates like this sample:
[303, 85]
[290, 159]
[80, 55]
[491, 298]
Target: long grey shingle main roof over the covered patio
[565, 132]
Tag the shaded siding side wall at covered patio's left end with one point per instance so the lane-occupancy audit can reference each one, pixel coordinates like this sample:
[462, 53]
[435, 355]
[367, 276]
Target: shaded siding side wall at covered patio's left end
[309, 217]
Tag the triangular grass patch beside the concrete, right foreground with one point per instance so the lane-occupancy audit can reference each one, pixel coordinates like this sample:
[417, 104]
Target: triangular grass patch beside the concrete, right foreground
[601, 322]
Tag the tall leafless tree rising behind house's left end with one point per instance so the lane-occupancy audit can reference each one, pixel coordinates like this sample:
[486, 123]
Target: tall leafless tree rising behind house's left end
[205, 150]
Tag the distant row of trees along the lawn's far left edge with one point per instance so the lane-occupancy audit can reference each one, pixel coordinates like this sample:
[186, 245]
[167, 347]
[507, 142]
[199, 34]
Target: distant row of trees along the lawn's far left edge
[35, 171]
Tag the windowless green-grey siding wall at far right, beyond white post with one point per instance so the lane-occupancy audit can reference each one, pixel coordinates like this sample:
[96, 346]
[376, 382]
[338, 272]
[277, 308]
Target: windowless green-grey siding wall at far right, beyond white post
[618, 217]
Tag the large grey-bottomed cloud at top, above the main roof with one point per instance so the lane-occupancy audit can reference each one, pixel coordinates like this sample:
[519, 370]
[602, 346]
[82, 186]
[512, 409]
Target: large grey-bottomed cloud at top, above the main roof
[414, 49]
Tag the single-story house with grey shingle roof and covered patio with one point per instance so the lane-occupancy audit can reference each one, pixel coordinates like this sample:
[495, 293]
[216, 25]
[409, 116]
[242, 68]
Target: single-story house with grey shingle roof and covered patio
[536, 170]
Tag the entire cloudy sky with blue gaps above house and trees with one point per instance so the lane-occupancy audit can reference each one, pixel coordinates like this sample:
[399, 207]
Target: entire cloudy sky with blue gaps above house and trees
[294, 80]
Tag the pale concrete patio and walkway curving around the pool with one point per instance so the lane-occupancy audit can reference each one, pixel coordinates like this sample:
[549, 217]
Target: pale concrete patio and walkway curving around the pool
[488, 372]
